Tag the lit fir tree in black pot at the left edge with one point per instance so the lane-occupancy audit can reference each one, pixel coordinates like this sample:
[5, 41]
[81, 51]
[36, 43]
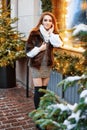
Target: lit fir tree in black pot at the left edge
[11, 48]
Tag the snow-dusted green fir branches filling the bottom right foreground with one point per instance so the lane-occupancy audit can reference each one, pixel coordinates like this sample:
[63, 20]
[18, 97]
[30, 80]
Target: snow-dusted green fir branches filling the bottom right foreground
[60, 116]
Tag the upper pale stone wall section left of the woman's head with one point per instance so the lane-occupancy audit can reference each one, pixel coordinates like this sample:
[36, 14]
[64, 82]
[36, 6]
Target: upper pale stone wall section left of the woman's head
[28, 12]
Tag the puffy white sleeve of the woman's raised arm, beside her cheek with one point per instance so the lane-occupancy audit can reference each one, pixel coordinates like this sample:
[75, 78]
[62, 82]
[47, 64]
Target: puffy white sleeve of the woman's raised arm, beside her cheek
[55, 40]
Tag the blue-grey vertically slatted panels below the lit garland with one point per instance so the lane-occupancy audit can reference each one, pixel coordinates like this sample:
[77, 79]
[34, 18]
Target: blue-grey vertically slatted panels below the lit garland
[71, 95]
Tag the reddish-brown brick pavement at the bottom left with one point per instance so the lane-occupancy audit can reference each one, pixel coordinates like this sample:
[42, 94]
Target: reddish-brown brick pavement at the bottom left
[14, 109]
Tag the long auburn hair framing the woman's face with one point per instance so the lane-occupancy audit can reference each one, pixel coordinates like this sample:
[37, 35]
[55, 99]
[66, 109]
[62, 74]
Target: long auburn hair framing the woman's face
[41, 19]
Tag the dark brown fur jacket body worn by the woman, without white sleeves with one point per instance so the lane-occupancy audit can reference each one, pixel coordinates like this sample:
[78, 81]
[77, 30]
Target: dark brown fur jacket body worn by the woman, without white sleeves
[36, 39]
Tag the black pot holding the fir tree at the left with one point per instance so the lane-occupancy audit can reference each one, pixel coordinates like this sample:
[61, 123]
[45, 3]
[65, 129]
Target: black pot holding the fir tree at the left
[7, 77]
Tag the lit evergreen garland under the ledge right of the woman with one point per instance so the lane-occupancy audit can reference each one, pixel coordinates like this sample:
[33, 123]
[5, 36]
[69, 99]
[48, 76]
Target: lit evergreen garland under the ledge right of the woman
[69, 65]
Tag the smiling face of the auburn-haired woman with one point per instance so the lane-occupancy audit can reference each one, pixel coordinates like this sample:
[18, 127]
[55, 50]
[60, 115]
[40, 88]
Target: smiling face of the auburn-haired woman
[47, 22]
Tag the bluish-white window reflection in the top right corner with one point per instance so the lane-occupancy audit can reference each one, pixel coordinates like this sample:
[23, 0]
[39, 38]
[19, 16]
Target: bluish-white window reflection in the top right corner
[77, 12]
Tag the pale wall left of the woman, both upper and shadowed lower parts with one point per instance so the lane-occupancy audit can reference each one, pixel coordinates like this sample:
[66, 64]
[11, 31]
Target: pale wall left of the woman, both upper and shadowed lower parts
[28, 12]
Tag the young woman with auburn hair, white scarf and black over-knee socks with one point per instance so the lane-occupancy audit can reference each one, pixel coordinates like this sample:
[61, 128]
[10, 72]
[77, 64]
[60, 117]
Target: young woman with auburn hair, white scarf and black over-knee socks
[39, 48]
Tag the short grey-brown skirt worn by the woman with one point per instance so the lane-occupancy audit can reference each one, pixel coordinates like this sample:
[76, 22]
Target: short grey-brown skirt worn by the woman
[43, 72]
